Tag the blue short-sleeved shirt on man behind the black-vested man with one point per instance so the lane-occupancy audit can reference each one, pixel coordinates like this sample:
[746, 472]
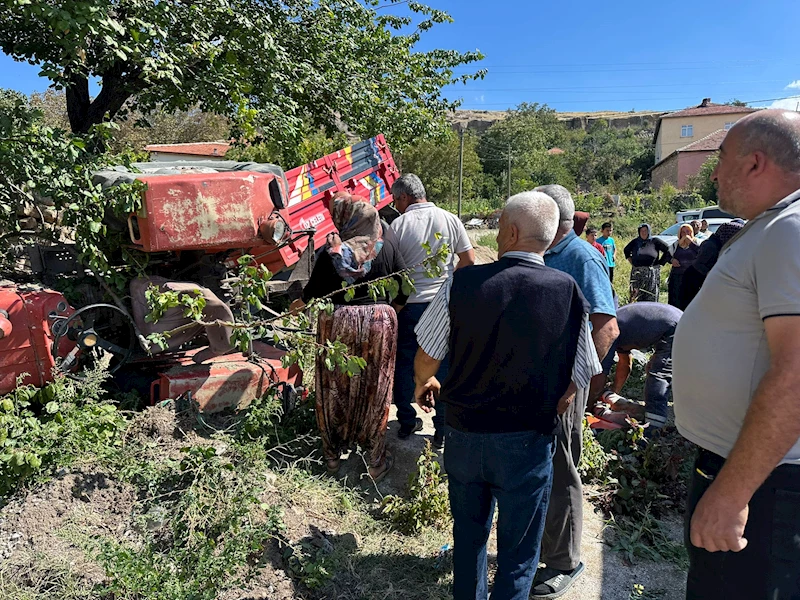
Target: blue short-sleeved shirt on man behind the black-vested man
[577, 258]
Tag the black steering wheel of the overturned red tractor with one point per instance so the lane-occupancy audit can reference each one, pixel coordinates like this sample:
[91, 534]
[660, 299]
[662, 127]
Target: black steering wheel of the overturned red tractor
[89, 328]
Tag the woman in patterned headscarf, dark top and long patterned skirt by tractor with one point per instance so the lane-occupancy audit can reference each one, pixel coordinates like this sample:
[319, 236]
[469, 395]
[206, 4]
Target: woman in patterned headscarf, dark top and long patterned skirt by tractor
[355, 410]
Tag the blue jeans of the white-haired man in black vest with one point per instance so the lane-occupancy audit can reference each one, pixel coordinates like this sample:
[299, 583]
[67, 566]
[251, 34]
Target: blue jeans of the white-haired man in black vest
[515, 471]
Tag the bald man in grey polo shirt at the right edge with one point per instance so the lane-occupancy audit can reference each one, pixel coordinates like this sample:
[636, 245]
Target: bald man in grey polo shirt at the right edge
[736, 383]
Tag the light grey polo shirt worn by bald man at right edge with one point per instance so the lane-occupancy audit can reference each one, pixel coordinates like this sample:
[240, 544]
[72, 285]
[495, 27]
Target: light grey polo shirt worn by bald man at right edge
[720, 352]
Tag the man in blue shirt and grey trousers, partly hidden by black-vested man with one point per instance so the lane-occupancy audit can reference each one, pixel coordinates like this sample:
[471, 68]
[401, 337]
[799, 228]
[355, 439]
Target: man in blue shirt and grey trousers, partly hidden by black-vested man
[561, 543]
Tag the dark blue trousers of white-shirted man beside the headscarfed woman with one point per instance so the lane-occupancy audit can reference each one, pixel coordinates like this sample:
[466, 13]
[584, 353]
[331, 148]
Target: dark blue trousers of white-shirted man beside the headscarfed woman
[404, 386]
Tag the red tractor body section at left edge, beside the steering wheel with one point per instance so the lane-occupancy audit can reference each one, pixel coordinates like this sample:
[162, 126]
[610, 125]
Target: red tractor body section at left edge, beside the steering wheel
[25, 345]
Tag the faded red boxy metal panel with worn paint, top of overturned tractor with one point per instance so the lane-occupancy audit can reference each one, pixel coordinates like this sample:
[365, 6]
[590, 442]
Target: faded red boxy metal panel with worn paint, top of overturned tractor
[202, 210]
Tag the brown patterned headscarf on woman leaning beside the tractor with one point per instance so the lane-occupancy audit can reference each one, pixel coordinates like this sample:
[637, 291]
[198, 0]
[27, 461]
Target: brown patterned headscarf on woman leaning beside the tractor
[360, 236]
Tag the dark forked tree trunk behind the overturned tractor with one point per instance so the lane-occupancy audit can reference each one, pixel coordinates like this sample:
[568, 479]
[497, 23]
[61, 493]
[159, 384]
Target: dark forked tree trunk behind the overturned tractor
[84, 112]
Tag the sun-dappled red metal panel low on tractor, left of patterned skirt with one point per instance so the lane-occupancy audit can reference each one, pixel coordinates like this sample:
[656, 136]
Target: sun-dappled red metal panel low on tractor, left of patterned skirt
[228, 381]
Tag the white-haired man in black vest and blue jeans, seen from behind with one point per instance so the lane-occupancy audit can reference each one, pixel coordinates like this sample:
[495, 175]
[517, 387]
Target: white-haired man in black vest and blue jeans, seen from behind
[517, 337]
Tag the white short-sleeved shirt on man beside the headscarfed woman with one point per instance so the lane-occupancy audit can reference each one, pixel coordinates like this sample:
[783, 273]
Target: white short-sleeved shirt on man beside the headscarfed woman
[418, 225]
